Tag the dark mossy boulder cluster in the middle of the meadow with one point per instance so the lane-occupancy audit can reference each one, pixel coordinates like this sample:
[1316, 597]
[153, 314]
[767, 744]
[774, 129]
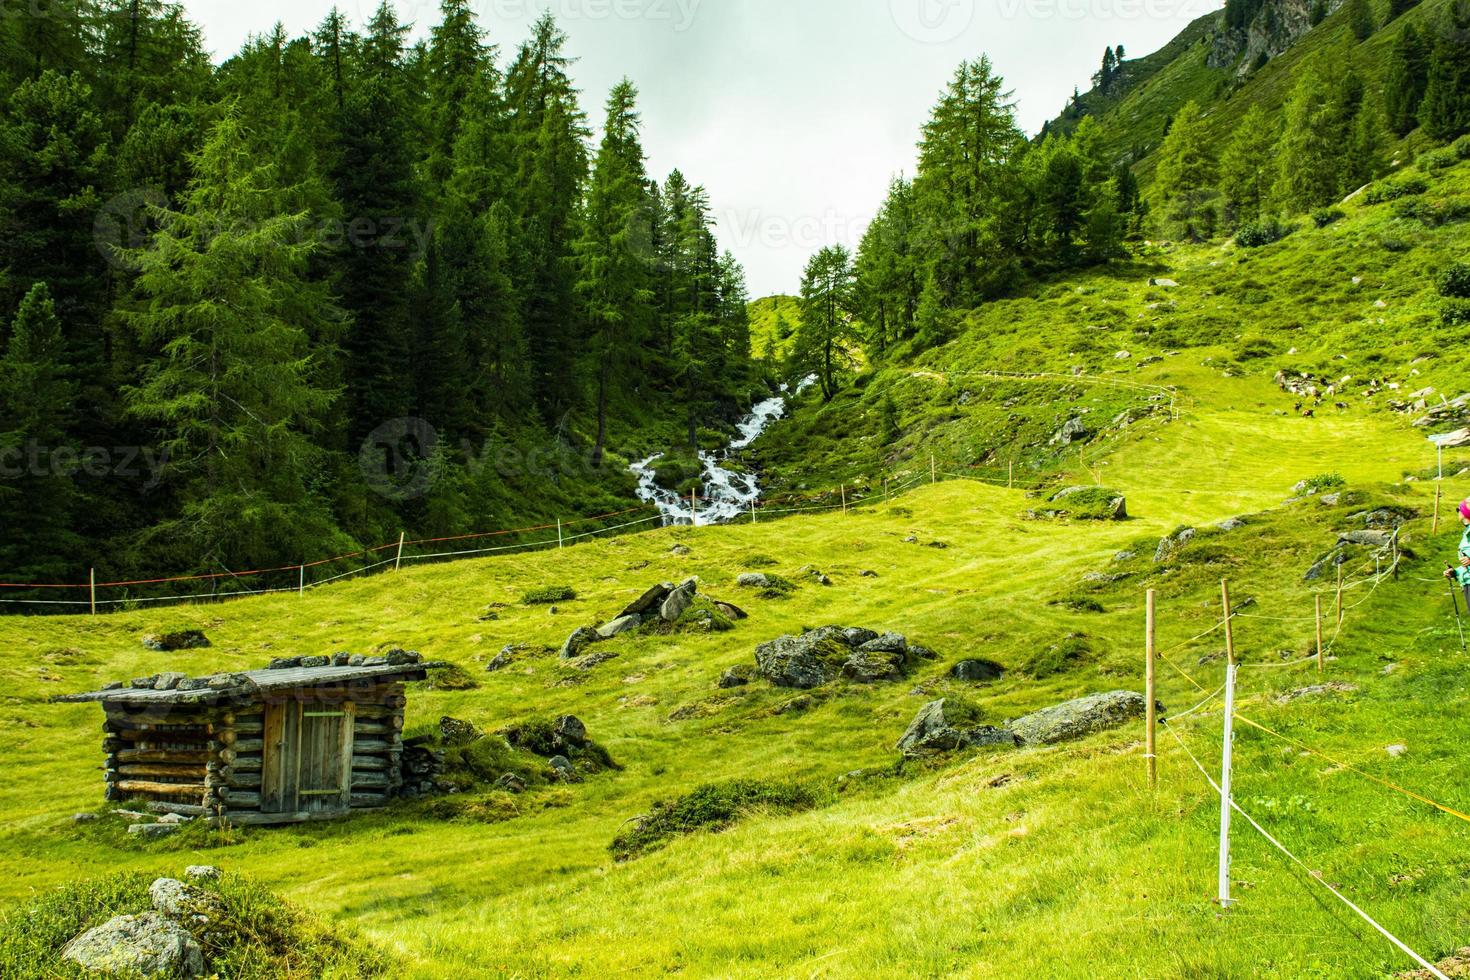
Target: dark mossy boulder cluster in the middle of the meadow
[822, 656]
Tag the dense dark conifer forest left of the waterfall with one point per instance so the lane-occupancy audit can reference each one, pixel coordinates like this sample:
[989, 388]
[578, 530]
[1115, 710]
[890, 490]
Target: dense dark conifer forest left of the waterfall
[334, 287]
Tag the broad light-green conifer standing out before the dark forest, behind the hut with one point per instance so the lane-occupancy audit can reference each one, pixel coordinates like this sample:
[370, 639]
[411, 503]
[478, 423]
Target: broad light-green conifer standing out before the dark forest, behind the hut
[229, 314]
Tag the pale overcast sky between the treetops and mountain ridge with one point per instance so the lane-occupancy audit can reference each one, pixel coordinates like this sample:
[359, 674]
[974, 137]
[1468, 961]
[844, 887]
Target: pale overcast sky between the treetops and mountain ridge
[795, 114]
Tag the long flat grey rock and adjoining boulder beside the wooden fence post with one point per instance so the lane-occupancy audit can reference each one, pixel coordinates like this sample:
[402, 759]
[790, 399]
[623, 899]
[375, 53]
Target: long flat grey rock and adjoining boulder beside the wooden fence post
[949, 725]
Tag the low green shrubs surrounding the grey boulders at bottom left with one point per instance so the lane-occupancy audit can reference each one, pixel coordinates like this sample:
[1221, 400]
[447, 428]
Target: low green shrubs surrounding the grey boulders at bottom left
[255, 935]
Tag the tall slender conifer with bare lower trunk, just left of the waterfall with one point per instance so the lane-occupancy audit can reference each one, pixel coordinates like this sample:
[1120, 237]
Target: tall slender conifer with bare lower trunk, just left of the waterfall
[614, 255]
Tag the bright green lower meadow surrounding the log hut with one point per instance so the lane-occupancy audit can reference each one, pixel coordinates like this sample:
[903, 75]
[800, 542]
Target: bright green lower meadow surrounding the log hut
[1052, 862]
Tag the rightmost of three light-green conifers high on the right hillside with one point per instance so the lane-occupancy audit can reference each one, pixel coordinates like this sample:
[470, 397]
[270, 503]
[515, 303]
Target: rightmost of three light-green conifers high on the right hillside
[1311, 149]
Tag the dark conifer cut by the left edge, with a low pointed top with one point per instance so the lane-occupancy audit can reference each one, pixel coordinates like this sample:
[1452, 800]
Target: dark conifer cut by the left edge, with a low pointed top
[36, 415]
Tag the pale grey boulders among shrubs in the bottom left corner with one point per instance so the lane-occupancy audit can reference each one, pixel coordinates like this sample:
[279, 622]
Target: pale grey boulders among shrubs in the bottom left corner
[159, 943]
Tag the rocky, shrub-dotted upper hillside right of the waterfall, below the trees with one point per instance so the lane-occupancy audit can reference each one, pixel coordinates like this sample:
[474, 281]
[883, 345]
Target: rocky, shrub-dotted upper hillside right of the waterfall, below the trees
[1353, 303]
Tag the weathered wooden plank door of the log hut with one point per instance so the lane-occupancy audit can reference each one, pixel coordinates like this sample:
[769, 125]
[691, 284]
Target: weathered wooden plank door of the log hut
[308, 763]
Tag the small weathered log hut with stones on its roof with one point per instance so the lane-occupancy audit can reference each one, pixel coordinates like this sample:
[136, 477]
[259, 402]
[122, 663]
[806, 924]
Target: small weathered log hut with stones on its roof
[305, 740]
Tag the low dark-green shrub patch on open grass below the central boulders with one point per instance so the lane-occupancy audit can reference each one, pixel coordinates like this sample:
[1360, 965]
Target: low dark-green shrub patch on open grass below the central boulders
[709, 809]
